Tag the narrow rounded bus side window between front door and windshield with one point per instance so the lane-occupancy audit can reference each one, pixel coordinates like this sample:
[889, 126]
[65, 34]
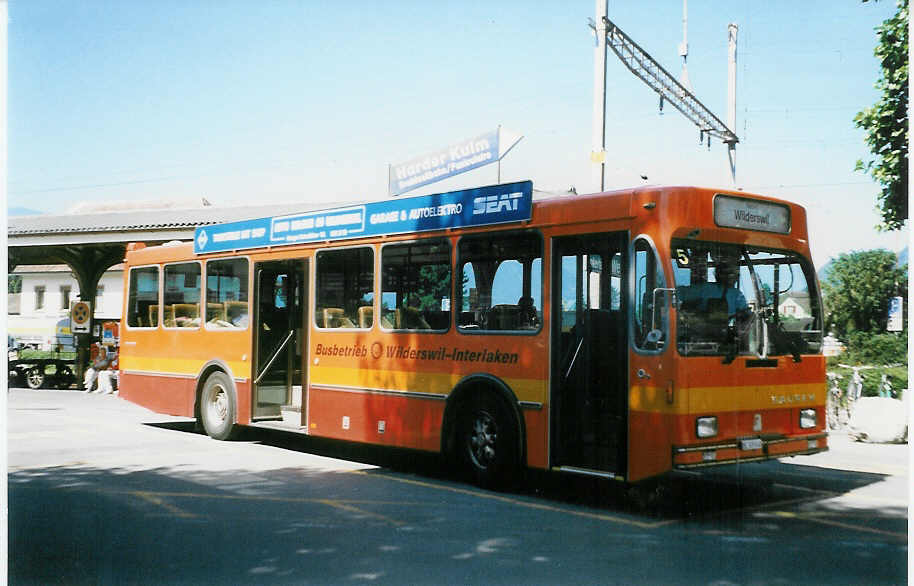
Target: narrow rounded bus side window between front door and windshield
[650, 325]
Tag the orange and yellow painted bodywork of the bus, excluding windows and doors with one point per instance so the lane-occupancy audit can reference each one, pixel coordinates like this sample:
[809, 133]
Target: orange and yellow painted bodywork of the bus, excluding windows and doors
[392, 388]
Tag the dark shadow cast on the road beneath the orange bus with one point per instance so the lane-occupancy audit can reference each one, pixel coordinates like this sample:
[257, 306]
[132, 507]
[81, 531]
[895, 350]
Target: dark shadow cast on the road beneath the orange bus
[709, 493]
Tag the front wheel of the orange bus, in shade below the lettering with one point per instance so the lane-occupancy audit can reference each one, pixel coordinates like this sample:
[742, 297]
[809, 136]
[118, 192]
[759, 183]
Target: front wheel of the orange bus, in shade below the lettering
[488, 442]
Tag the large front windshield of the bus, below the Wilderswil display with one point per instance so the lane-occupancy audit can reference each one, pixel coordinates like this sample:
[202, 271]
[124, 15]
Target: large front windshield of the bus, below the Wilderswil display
[744, 300]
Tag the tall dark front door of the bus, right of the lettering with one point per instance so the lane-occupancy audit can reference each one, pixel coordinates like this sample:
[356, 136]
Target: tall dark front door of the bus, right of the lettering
[590, 353]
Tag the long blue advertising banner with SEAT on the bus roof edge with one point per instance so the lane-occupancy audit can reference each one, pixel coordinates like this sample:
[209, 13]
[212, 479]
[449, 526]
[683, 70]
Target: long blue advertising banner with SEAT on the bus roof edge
[495, 204]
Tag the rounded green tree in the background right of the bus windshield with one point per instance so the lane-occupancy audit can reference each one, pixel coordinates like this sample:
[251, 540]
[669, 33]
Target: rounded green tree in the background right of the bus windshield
[857, 289]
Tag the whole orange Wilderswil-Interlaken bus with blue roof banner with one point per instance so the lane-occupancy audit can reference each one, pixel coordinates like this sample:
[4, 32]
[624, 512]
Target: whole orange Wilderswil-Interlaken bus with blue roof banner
[619, 334]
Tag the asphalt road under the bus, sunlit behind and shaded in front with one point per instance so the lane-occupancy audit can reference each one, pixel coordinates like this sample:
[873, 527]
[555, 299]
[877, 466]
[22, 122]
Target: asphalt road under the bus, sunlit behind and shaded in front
[105, 492]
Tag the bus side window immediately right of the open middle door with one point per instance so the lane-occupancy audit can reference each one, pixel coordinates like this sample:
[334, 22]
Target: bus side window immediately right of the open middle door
[345, 284]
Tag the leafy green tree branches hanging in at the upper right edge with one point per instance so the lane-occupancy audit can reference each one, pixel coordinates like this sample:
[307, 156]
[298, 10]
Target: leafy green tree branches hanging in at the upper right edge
[886, 121]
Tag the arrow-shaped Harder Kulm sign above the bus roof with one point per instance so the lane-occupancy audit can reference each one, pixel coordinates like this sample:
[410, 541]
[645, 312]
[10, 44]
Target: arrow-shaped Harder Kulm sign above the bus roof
[457, 158]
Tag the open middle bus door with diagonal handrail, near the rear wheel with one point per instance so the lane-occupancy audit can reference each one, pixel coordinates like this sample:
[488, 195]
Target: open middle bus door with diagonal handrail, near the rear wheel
[279, 322]
